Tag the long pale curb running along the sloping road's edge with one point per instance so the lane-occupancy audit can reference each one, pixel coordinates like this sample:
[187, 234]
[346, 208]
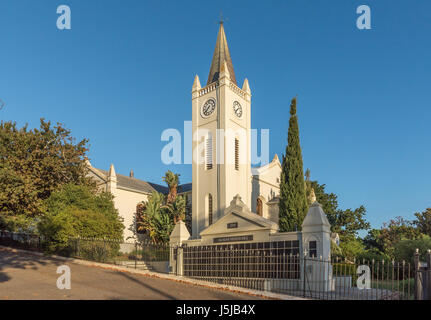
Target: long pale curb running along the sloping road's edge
[257, 293]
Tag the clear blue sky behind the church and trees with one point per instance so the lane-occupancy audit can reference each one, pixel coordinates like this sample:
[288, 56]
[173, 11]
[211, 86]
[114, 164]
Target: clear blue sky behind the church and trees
[124, 73]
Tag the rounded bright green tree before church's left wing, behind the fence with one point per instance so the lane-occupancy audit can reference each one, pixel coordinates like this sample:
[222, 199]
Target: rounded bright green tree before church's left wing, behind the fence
[75, 211]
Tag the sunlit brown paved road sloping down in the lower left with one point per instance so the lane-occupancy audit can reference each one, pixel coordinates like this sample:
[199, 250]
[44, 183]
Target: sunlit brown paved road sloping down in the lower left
[28, 277]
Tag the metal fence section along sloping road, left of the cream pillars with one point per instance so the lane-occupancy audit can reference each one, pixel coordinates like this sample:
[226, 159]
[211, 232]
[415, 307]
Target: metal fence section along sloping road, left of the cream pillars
[139, 255]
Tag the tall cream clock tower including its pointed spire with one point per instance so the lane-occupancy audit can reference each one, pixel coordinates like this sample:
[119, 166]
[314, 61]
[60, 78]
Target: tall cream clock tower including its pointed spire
[221, 140]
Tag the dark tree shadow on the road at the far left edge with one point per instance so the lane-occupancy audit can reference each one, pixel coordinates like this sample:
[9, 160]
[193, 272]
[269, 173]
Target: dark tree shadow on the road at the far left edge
[11, 260]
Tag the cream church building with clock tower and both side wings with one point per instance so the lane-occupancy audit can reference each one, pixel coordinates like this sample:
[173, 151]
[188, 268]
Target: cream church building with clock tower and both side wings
[221, 168]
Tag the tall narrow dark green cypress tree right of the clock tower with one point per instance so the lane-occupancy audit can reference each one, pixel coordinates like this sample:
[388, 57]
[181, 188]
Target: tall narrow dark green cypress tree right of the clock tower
[293, 200]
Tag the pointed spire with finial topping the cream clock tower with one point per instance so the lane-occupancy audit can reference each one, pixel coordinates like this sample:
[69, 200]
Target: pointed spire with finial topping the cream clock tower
[221, 56]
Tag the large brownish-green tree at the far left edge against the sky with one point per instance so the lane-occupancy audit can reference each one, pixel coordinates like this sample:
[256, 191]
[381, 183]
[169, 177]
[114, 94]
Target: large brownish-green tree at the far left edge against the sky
[33, 164]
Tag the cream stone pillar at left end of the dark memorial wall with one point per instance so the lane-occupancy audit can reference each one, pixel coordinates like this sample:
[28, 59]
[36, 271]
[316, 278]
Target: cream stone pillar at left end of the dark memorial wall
[177, 237]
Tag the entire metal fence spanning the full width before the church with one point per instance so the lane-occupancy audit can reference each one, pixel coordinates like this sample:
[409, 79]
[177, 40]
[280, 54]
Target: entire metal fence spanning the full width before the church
[269, 266]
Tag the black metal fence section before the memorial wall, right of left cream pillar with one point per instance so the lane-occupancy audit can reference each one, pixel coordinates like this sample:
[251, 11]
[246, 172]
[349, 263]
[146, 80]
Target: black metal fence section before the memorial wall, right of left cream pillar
[278, 267]
